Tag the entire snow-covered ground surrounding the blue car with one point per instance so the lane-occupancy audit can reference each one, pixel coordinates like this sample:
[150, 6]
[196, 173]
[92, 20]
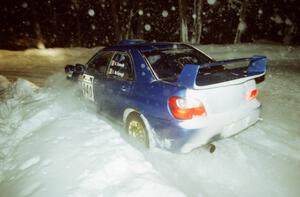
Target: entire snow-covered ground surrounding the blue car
[54, 143]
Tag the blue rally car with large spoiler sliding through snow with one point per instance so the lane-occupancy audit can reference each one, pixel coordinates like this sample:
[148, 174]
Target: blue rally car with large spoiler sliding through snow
[172, 95]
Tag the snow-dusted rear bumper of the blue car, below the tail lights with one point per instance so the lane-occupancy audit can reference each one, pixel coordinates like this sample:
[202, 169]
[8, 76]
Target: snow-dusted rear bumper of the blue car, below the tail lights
[184, 136]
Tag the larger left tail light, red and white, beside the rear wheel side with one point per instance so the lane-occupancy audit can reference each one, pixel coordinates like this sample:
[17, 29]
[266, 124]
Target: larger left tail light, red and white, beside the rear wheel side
[183, 110]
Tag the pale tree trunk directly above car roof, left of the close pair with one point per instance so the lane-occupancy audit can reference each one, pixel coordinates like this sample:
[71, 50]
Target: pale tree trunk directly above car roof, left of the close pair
[183, 21]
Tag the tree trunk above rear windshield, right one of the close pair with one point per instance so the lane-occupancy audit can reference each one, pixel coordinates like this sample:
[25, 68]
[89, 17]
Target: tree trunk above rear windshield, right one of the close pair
[198, 7]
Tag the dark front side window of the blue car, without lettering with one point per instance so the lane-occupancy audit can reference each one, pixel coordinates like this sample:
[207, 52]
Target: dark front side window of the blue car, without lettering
[101, 62]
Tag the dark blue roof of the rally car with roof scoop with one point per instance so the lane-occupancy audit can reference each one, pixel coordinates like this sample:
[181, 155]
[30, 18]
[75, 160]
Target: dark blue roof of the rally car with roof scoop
[145, 46]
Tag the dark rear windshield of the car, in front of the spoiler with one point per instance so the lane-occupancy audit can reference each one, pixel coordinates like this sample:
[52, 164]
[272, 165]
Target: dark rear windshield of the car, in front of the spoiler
[168, 63]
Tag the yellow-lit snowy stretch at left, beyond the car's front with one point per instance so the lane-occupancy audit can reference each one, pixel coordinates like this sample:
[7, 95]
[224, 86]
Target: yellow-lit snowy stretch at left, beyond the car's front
[36, 65]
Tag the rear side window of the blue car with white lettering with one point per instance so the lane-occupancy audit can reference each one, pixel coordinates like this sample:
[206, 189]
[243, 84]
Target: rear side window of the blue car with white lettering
[121, 67]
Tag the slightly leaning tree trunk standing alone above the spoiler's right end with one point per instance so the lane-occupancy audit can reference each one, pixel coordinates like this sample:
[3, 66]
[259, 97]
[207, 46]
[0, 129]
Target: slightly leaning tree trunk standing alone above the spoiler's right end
[241, 28]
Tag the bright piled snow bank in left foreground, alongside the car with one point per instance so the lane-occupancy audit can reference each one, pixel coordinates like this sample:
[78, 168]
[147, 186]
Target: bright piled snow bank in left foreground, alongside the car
[76, 160]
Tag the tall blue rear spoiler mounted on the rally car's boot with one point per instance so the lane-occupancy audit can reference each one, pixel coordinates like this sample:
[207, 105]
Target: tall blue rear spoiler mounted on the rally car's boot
[257, 67]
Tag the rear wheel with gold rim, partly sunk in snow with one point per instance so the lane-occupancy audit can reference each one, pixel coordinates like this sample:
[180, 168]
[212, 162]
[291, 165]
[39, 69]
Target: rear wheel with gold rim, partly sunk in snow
[135, 128]
